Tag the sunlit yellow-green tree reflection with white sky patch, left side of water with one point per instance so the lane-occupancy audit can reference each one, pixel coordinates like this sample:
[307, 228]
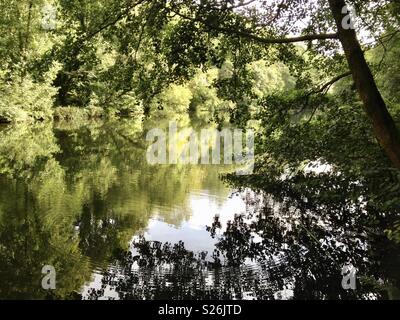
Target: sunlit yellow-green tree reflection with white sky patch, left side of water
[73, 197]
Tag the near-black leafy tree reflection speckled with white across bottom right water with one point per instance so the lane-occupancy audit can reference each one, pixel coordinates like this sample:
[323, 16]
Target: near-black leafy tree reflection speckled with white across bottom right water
[275, 251]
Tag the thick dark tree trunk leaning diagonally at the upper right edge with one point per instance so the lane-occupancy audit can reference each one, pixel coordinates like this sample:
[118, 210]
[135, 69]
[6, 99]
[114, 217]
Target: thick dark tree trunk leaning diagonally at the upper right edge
[384, 127]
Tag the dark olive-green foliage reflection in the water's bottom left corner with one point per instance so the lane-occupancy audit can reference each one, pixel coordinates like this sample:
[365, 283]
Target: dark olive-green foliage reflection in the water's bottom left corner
[31, 238]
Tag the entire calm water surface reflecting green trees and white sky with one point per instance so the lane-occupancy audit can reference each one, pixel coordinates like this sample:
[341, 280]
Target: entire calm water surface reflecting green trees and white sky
[84, 199]
